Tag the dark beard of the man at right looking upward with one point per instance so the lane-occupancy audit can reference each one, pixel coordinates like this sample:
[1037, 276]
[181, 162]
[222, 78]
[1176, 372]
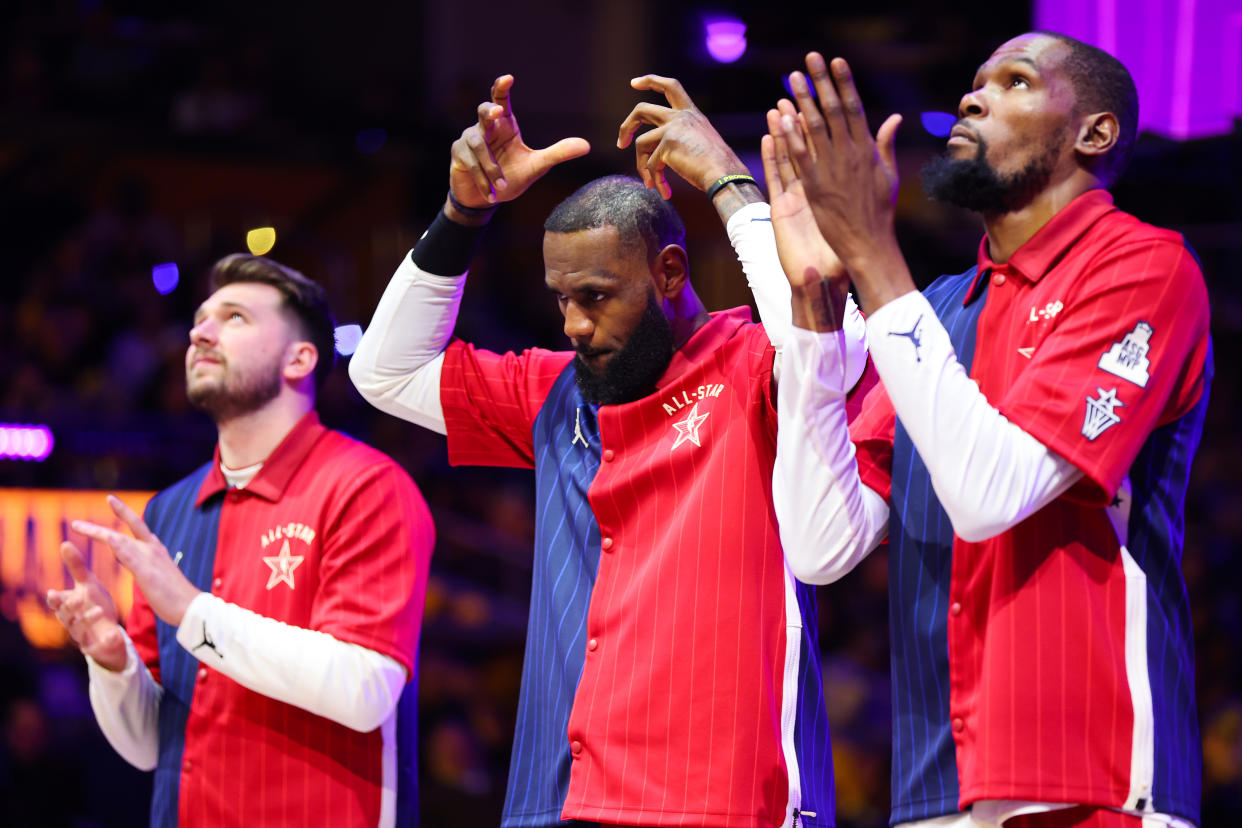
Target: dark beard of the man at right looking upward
[976, 186]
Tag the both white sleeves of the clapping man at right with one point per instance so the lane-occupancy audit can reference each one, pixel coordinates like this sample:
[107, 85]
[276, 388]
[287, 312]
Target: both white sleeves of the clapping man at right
[958, 434]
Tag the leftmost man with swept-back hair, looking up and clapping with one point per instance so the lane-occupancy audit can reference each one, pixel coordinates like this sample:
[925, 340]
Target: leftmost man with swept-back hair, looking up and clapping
[264, 673]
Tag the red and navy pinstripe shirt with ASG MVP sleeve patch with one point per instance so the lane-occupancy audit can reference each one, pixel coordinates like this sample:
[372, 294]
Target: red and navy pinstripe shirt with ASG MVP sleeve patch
[1029, 631]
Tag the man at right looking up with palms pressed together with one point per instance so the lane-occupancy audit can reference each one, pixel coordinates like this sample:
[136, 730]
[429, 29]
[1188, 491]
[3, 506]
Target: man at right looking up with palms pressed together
[1041, 415]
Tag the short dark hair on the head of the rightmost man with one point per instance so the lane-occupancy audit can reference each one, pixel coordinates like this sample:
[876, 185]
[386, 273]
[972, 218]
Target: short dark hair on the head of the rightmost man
[1102, 84]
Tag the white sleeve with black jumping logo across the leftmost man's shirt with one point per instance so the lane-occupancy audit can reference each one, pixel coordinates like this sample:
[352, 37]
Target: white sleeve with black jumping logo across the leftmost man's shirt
[347, 683]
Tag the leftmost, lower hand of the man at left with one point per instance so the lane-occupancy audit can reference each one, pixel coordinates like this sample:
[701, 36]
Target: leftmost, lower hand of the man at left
[89, 613]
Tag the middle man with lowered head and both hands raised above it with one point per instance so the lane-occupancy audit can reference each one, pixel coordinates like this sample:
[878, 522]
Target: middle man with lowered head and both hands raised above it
[671, 672]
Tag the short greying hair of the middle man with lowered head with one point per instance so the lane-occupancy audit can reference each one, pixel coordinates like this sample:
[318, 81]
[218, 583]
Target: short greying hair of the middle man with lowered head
[620, 202]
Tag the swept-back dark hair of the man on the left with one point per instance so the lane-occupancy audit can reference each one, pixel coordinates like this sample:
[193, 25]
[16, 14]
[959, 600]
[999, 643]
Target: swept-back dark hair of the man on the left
[304, 301]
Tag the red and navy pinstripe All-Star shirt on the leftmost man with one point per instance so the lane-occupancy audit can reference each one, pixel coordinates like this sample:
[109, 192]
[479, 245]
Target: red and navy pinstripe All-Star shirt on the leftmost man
[230, 757]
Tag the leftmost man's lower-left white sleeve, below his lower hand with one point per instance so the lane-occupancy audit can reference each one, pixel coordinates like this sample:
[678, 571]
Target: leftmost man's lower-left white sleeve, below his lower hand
[126, 704]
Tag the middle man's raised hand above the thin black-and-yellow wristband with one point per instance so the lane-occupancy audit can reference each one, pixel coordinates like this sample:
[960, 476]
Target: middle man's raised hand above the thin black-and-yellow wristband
[682, 140]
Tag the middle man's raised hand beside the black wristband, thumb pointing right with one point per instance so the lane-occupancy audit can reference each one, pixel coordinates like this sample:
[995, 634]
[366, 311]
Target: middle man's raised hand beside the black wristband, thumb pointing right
[492, 164]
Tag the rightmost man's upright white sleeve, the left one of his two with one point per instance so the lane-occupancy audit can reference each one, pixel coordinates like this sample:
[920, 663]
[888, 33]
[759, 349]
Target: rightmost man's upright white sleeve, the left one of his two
[829, 520]
